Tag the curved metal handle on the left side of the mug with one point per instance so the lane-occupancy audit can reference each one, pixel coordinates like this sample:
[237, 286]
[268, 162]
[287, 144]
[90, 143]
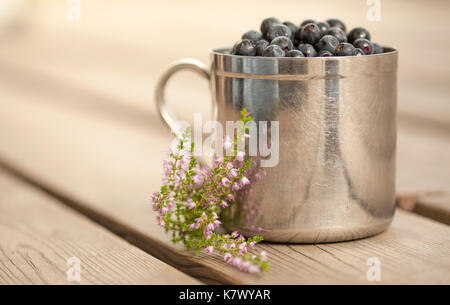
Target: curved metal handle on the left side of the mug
[182, 64]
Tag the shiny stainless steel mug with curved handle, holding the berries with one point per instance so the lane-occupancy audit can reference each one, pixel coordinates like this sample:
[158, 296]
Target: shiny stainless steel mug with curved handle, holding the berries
[335, 179]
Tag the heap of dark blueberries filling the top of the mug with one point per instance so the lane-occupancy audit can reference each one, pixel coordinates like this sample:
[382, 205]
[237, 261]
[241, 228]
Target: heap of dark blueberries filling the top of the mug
[310, 39]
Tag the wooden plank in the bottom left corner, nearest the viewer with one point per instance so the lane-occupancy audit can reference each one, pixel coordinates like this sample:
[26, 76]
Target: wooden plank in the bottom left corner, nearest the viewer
[38, 235]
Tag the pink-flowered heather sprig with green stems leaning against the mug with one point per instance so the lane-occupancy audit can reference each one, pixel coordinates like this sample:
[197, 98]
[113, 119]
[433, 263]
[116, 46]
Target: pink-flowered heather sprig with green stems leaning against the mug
[193, 196]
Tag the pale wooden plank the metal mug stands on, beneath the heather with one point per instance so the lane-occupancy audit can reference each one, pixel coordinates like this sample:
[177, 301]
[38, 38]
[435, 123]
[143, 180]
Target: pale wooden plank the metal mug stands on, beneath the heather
[108, 170]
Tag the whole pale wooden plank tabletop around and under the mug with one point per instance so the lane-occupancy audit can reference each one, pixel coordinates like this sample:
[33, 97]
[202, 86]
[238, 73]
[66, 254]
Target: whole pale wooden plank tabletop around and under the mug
[81, 149]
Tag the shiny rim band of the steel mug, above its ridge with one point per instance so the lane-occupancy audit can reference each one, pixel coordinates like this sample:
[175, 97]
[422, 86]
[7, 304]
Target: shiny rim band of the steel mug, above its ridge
[298, 68]
